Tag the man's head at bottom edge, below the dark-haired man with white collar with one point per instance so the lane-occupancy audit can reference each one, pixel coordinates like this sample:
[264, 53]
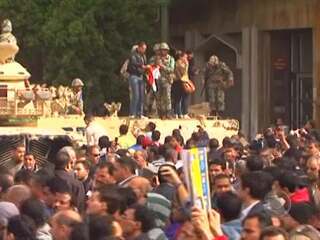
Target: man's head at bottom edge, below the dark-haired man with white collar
[253, 224]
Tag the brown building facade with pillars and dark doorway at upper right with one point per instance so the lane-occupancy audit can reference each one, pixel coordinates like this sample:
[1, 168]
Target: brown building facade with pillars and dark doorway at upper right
[273, 48]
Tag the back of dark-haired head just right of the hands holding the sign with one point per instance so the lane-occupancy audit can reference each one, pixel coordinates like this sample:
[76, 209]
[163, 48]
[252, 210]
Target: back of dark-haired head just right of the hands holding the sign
[229, 205]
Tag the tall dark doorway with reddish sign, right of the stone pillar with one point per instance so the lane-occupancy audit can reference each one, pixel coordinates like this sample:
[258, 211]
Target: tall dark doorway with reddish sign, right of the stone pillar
[291, 76]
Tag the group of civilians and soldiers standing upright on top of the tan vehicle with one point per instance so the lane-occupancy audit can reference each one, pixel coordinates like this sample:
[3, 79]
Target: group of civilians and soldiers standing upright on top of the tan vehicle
[168, 82]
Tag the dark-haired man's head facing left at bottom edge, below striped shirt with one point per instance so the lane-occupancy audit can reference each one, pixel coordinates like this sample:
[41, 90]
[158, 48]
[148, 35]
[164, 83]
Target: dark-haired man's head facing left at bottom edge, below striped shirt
[137, 220]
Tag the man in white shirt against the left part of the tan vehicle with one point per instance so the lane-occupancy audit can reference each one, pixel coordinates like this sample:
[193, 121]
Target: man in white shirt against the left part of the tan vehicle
[93, 131]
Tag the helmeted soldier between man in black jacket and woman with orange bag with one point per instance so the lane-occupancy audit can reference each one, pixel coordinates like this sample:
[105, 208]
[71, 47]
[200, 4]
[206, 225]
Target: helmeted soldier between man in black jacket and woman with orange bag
[164, 84]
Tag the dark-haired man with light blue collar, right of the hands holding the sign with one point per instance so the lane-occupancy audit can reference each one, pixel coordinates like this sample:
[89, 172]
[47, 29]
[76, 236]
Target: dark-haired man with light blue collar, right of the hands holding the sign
[229, 206]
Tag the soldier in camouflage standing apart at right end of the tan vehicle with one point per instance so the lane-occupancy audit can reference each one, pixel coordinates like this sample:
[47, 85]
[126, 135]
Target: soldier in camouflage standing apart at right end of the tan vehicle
[218, 78]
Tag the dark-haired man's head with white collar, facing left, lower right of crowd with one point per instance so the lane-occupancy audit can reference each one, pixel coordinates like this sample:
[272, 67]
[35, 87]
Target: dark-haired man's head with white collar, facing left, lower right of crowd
[254, 187]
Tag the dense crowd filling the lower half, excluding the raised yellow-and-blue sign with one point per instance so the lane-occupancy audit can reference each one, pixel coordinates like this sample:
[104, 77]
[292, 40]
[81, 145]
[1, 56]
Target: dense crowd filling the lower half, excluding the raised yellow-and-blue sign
[133, 187]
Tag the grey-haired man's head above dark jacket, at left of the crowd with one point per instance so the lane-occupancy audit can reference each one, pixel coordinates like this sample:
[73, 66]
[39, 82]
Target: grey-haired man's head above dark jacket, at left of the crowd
[65, 159]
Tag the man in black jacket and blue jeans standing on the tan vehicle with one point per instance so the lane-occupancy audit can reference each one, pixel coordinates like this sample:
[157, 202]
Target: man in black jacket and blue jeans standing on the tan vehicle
[136, 68]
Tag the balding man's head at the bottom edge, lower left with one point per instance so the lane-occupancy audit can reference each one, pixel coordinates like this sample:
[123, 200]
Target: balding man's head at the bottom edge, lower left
[62, 224]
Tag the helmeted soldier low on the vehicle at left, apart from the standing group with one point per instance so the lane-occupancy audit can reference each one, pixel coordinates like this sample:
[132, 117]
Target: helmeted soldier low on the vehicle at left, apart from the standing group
[76, 102]
